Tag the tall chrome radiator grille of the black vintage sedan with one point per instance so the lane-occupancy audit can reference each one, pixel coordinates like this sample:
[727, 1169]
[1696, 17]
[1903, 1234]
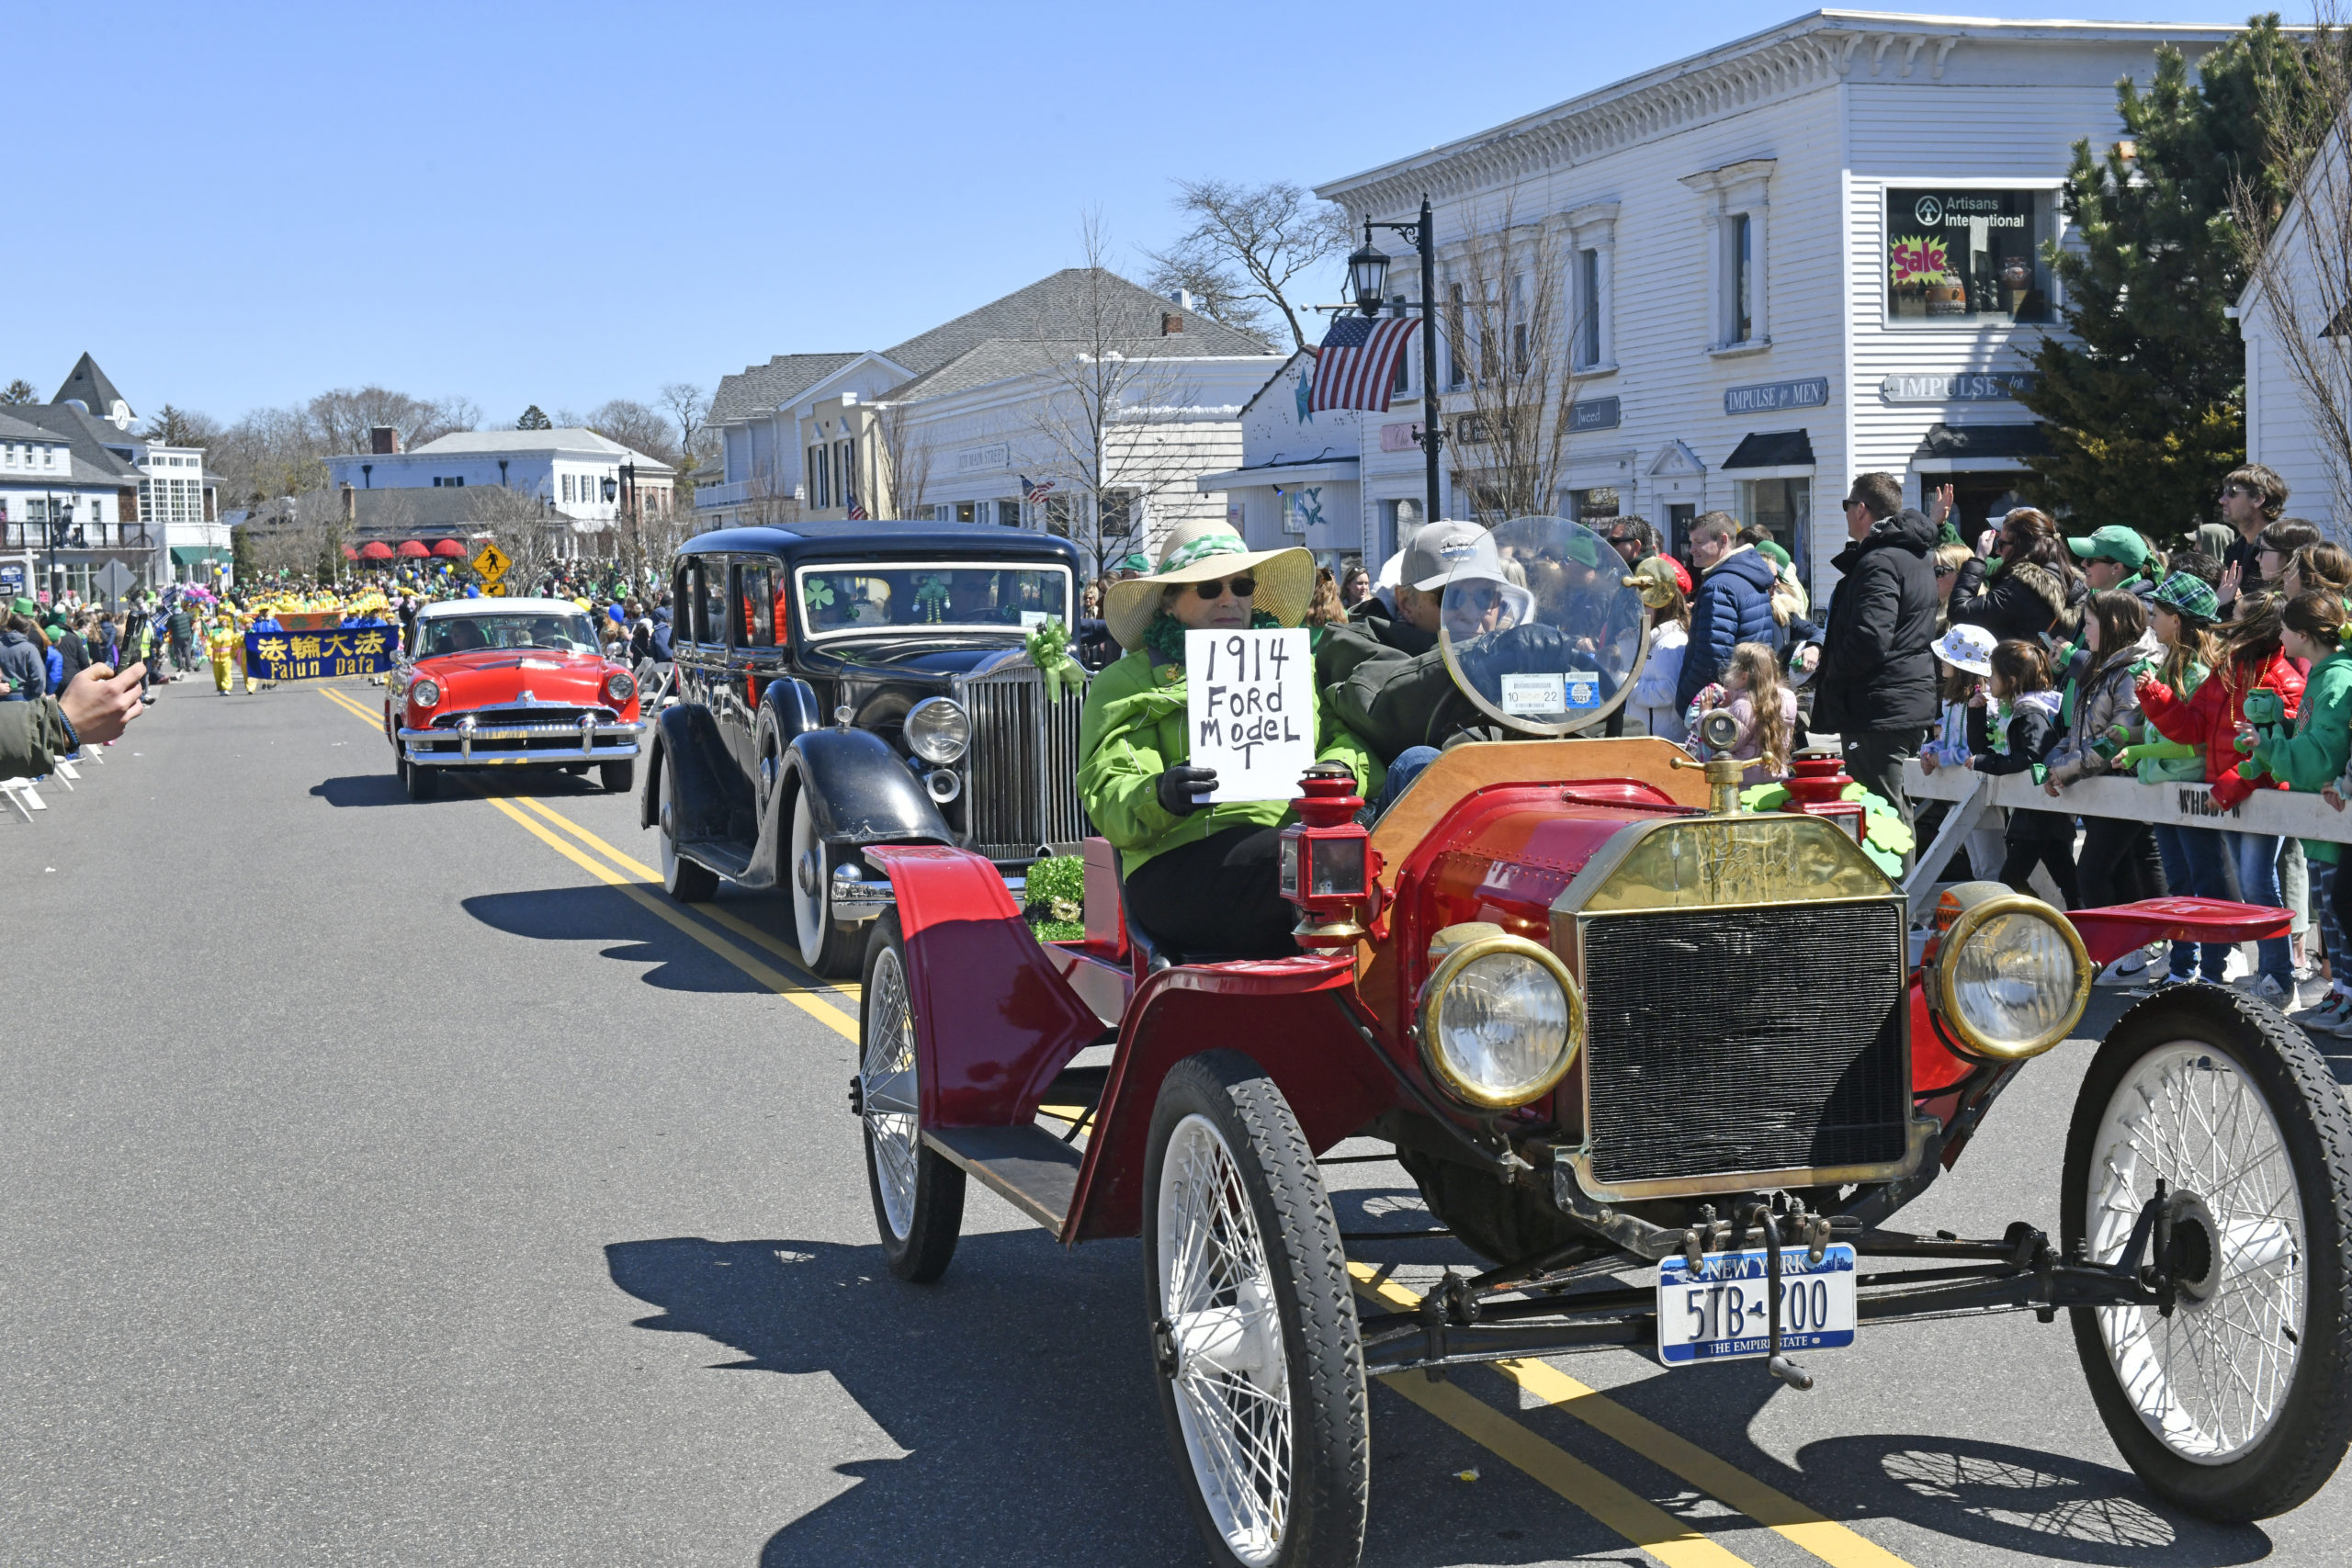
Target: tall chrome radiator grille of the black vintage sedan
[1022, 770]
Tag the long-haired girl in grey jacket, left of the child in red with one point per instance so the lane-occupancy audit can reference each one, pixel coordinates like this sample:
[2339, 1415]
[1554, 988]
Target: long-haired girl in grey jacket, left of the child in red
[2118, 859]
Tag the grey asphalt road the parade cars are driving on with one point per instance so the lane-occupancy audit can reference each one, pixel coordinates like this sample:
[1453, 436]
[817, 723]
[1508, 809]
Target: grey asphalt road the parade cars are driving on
[389, 1186]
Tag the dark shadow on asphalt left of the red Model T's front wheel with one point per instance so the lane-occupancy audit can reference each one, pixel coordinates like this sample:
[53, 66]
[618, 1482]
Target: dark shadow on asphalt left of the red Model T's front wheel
[1020, 1388]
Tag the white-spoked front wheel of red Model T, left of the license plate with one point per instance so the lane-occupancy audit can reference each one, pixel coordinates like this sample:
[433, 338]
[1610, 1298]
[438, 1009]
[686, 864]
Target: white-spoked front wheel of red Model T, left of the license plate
[1262, 1376]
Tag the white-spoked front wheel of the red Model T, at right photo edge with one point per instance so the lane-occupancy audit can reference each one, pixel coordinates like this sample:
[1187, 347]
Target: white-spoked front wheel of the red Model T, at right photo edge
[2236, 1405]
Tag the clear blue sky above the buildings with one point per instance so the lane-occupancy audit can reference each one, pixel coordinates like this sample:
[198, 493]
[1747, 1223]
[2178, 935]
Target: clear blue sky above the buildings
[570, 203]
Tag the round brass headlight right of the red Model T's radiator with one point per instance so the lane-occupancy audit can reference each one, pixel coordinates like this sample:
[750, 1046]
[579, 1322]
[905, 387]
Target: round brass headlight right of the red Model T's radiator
[2012, 974]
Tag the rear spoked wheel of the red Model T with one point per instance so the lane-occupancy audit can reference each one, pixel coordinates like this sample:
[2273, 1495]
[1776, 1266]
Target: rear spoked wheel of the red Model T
[918, 1195]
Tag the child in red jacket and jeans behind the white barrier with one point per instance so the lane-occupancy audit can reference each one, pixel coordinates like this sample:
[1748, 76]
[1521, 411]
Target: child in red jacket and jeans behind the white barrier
[2250, 659]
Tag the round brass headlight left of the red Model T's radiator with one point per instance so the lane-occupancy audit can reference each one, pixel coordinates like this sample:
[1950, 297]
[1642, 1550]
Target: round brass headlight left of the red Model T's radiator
[1502, 1019]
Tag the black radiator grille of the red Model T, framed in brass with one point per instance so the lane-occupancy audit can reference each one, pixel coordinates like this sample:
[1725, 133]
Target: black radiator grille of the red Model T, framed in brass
[1746, 1040]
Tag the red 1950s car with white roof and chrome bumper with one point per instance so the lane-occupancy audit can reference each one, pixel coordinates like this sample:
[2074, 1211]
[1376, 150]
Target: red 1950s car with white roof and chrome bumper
[509, 683]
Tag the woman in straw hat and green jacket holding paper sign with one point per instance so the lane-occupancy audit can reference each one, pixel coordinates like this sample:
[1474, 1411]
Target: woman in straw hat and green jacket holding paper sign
[1198, 878]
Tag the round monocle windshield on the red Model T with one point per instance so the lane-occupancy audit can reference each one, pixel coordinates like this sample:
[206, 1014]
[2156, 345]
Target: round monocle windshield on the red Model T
[1539, 626]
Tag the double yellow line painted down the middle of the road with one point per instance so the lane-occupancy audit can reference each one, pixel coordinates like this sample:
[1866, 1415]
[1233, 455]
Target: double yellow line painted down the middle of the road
[1608, 1501]
